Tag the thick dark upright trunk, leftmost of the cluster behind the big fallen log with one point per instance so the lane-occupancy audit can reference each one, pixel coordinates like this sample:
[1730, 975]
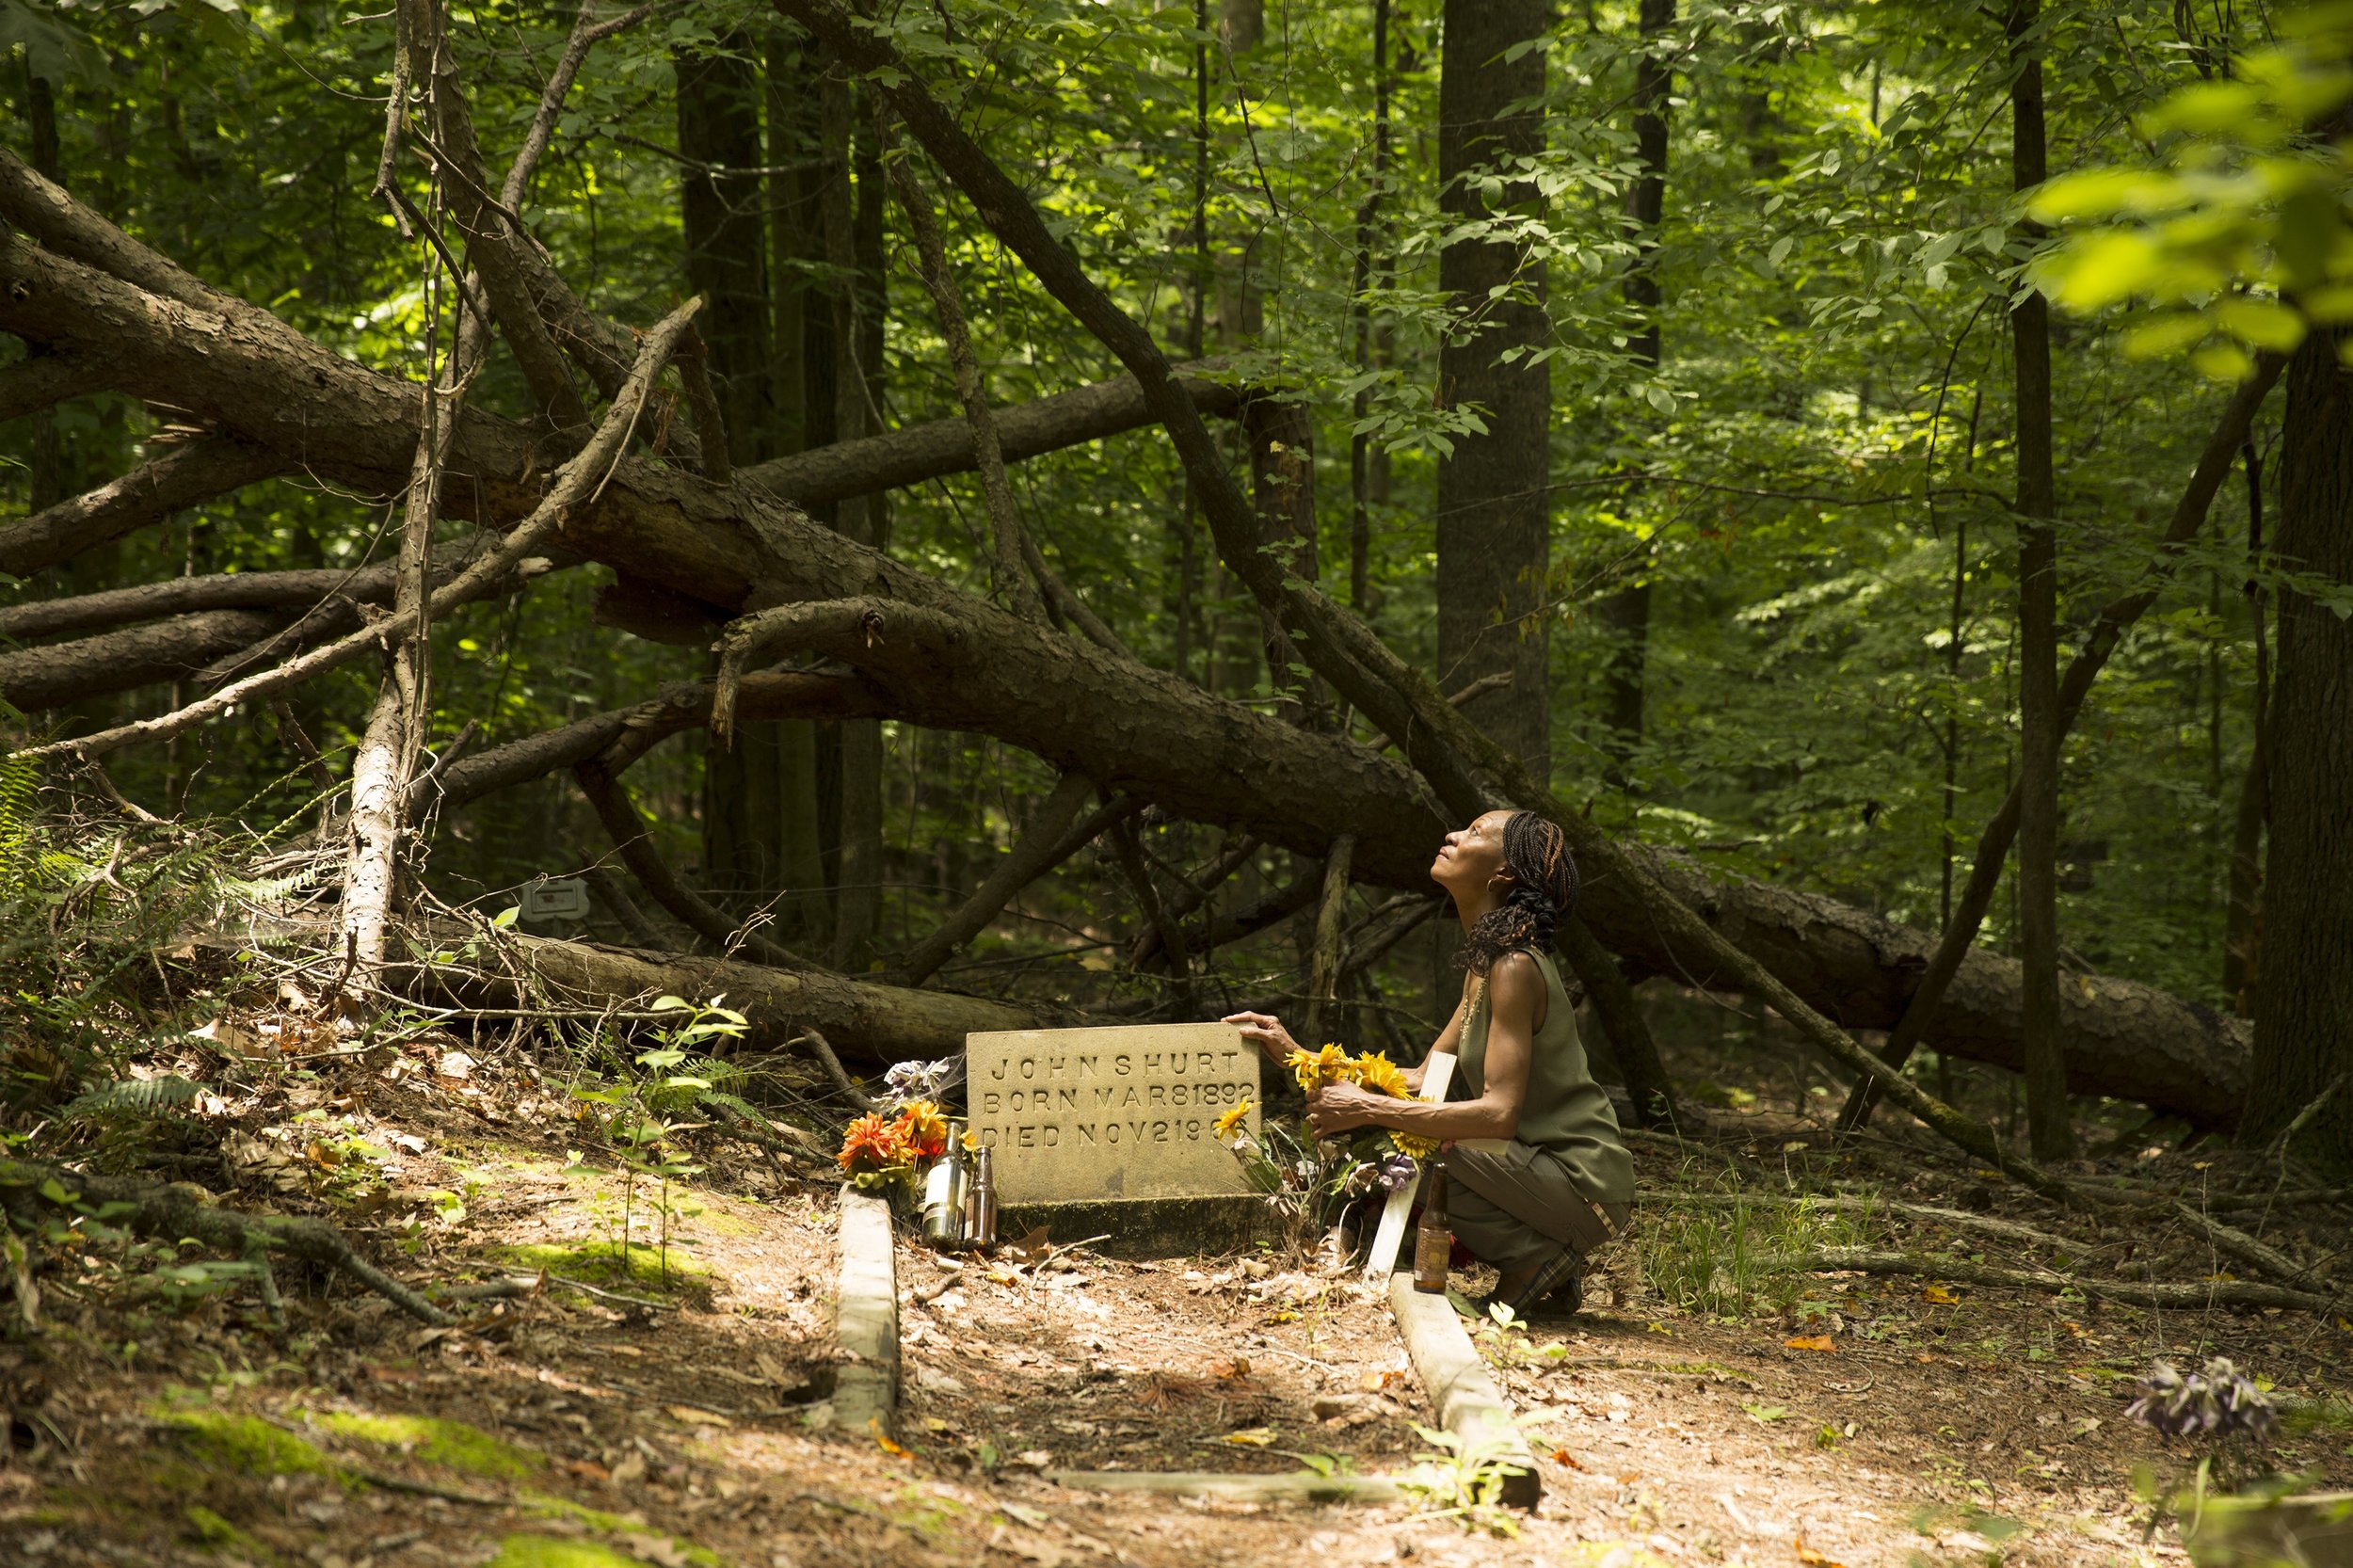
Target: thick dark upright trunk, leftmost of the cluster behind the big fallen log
[719, 131]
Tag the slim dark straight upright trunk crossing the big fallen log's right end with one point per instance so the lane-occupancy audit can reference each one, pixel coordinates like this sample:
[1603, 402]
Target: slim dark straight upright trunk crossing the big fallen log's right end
[2051, 1129]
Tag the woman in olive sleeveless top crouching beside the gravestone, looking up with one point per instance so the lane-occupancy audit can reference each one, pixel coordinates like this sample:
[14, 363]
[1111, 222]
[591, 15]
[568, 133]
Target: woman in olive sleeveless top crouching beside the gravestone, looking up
[1538, 1171]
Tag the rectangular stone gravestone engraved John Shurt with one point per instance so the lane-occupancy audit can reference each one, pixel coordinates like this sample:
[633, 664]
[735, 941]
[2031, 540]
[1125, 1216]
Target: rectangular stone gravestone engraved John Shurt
[1112, 1131]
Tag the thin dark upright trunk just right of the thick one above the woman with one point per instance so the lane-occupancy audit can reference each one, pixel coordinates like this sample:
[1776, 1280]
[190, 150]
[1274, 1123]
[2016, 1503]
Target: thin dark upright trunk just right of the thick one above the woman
[1627, 613]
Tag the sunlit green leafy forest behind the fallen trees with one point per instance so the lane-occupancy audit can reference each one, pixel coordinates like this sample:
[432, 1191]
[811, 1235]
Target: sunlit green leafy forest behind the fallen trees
[1709, 484]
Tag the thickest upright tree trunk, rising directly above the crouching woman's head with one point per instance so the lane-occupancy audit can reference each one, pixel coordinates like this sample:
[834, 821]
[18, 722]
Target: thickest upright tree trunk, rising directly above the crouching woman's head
[1493, 491]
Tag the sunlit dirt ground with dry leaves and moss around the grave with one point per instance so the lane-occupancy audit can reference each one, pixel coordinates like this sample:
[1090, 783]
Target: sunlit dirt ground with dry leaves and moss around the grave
[676, 1411]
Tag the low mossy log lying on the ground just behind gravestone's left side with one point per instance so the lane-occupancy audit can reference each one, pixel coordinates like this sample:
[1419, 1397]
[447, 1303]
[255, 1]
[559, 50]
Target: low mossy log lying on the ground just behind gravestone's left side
[869, 1023]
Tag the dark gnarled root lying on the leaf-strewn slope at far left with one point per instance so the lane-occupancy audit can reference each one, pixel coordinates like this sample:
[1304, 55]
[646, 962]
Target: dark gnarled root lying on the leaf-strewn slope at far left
[180, 1211]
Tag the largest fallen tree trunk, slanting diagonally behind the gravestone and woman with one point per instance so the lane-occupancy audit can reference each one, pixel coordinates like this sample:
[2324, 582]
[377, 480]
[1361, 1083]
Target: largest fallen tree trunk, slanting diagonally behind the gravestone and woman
[942, 658]
